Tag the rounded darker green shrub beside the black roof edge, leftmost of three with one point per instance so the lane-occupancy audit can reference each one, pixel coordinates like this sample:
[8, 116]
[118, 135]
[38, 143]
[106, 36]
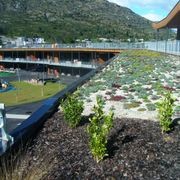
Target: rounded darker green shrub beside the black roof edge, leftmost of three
[72, 109]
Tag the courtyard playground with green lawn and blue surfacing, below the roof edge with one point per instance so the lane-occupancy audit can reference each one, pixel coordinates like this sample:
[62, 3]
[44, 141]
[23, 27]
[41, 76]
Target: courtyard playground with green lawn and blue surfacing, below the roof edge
[24, 87]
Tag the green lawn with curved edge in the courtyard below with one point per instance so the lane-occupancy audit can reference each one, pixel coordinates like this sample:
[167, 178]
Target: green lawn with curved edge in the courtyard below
[26, 93]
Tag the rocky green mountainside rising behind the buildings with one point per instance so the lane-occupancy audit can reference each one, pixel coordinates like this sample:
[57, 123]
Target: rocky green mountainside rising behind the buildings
[67, 20]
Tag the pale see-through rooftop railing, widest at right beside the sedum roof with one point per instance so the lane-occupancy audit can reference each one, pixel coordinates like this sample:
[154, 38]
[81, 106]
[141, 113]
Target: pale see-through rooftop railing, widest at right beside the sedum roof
[172, 47]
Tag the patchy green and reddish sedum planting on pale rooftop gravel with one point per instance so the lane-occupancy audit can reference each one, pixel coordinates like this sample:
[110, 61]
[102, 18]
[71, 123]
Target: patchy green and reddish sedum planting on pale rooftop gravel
[139, 77]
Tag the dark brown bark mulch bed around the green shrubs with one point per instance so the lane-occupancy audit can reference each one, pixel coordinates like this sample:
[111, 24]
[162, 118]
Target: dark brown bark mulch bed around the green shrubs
[137, 150]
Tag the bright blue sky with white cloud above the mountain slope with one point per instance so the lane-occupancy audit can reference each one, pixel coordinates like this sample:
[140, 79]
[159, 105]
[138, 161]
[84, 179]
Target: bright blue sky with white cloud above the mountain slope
[154, 10]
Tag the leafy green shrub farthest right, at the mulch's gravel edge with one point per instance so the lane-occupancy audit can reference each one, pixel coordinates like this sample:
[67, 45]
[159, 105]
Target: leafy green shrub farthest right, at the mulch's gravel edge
[165, 112]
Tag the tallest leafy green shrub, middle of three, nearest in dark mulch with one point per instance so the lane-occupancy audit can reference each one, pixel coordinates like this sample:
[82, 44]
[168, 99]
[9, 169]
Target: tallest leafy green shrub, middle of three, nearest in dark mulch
[98, 130]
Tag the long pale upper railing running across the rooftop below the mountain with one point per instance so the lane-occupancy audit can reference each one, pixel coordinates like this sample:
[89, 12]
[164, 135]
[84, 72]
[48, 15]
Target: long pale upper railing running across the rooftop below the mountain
[116, 46]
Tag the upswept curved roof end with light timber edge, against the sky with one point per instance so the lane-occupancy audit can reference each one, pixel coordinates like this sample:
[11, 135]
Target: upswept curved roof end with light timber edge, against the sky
[171, 21]
